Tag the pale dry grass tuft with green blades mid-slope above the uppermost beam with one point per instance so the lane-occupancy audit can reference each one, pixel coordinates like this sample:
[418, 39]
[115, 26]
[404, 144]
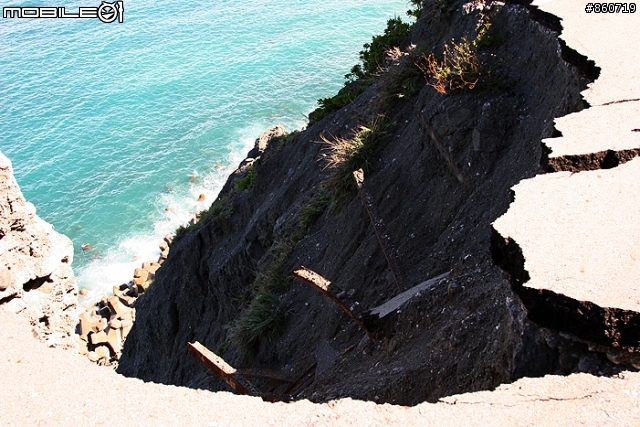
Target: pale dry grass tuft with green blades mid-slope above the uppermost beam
[345, 155]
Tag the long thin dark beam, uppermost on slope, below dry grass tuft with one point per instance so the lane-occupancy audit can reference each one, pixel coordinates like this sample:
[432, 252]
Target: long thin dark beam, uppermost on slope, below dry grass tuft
[387, 246]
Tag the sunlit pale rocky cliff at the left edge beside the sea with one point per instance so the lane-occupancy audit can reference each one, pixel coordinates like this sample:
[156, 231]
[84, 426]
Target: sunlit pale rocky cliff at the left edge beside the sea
[35, 266]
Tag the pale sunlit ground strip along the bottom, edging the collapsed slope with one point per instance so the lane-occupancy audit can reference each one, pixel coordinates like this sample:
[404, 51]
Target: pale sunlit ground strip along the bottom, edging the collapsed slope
[50, 387]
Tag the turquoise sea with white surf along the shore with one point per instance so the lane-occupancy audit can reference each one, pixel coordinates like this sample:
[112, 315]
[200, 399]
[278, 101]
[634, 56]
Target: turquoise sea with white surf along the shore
[107, 125]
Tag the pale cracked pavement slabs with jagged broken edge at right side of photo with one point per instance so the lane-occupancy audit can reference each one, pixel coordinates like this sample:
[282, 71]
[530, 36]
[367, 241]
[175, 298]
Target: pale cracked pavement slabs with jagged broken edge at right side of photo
[578, 232]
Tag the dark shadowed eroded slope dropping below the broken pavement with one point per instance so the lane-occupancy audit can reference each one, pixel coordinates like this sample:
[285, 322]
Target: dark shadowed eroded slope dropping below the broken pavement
[439, 175]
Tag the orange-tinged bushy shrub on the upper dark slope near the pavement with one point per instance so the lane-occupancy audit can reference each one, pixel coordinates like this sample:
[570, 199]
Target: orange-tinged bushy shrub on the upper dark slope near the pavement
[458, 68]
